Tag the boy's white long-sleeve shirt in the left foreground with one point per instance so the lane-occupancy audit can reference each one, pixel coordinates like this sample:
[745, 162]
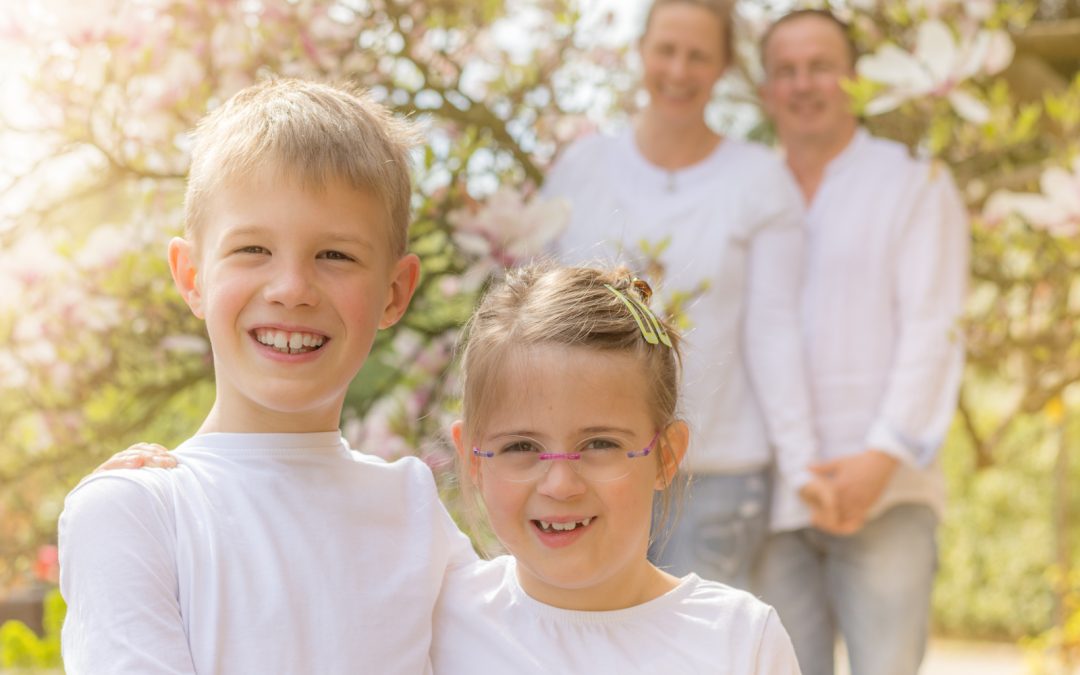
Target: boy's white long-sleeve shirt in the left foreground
[261, 553]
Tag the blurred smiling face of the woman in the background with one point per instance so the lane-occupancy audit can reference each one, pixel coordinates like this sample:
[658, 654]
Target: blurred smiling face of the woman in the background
[683, 53]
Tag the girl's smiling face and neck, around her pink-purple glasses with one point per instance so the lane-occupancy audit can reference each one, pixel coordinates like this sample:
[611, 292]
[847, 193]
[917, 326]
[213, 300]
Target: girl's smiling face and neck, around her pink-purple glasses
[566, 399]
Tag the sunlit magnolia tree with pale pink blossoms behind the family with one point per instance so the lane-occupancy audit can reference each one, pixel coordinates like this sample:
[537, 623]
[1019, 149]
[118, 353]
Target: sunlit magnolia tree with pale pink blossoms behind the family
[97, 352]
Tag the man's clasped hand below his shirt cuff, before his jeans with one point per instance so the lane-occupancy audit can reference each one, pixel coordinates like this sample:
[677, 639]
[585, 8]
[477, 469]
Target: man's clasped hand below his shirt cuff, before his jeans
[858, 481]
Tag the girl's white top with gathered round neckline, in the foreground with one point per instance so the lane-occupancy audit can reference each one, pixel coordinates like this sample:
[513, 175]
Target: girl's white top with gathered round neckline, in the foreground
[487, 624]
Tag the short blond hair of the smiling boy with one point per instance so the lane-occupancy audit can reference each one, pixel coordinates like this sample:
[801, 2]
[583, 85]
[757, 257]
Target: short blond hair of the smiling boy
[310, 132]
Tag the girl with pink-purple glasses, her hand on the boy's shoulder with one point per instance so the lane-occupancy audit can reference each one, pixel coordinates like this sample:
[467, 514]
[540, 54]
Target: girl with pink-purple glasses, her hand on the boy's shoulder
[569, 429]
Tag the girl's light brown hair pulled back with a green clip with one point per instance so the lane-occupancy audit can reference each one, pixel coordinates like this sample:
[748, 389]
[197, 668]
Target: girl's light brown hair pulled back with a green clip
[545, 305]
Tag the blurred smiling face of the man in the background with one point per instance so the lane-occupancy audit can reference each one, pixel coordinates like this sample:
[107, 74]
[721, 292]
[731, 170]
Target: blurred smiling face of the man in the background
[805, 62]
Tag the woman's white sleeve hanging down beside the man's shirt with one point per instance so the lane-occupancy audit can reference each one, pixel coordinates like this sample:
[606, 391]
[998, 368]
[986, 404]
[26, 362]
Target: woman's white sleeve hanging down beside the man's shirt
[773, 335]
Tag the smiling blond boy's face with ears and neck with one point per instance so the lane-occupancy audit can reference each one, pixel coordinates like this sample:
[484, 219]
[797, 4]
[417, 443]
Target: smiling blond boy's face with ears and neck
[293, 286]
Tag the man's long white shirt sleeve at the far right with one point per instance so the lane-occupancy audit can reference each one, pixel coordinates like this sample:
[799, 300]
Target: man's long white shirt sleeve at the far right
[931, 278]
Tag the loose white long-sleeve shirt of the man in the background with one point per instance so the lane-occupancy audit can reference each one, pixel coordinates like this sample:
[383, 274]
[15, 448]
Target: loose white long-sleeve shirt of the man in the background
[886, 281]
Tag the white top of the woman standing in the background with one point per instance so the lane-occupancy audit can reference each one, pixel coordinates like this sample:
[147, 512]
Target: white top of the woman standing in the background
[730, 233]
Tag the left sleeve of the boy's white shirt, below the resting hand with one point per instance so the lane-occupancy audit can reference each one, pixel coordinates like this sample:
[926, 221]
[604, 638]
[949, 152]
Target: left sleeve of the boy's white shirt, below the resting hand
[118, 576]
